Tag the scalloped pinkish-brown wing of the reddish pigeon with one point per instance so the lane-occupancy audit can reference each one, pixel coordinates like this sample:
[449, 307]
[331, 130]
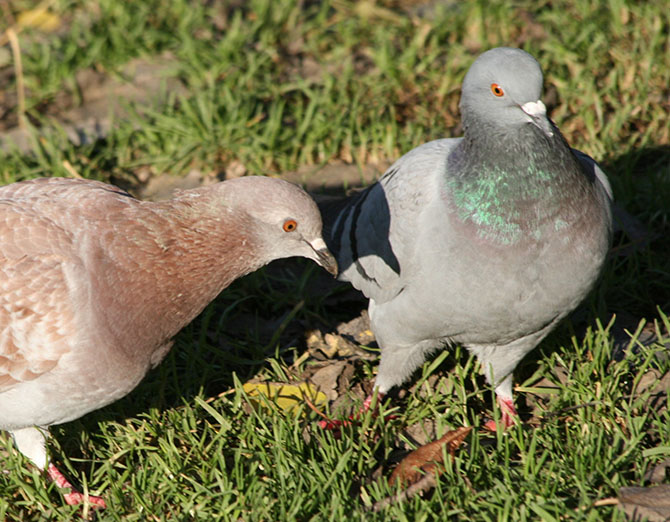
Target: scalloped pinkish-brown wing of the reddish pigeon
[36, 317]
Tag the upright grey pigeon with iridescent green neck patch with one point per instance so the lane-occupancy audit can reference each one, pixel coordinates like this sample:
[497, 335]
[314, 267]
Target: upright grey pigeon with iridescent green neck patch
[487, 241]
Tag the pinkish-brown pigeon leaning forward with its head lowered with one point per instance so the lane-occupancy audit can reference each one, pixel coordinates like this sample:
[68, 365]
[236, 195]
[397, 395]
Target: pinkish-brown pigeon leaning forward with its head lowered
[94, 284]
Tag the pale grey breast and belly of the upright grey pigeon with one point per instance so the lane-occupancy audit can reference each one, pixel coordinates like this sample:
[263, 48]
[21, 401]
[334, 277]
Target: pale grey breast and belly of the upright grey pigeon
[473, 288]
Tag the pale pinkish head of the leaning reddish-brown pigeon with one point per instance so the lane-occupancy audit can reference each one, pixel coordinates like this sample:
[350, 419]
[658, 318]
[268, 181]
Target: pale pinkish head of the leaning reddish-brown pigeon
[284, 218]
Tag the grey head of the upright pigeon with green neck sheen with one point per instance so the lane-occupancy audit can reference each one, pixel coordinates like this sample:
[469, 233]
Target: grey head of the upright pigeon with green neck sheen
[503, 89]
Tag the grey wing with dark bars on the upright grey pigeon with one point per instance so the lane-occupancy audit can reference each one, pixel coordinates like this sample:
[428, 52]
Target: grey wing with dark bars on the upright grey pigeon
[374, 236]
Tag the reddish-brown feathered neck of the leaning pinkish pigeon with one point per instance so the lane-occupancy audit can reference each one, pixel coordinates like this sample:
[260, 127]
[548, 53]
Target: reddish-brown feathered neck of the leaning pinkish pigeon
[167, 265]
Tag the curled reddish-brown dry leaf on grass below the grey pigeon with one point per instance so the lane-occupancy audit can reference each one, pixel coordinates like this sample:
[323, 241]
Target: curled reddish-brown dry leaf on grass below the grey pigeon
[426, 459]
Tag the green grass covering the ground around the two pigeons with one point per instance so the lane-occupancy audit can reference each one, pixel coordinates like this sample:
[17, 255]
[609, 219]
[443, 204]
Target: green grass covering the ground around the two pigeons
[279, 85]
